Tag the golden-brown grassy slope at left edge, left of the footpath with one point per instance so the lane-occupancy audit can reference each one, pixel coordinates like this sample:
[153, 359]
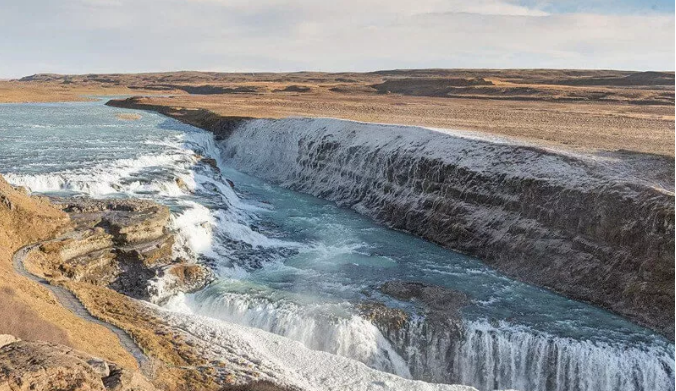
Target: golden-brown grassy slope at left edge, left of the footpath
[30, 311]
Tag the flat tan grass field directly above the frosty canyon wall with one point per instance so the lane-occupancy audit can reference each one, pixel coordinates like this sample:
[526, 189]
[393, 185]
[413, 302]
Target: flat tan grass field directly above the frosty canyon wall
[585, 126]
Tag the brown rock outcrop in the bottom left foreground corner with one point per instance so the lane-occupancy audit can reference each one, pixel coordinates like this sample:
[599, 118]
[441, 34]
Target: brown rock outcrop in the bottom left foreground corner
[44, 366]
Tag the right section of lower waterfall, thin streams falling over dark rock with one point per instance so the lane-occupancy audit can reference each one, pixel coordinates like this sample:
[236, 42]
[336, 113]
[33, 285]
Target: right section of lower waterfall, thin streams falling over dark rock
[507, 357]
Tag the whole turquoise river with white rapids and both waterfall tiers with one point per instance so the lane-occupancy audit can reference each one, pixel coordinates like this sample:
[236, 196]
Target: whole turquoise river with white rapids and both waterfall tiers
[297, 266]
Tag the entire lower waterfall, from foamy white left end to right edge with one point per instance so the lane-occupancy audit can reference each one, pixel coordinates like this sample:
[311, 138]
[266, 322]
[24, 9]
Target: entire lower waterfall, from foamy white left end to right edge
[483, 355]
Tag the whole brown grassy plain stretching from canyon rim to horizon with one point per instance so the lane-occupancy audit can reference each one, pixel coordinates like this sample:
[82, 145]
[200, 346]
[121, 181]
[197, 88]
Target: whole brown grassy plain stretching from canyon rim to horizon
[583, 109]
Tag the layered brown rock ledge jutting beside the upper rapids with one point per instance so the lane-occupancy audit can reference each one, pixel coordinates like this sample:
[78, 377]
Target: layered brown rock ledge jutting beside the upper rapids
[125, 245]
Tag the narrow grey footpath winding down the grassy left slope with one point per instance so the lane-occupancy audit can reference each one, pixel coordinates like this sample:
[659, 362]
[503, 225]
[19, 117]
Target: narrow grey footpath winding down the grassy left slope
[69, 301]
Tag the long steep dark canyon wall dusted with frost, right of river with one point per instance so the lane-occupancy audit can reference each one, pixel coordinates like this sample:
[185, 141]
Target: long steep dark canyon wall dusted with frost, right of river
[586, 226]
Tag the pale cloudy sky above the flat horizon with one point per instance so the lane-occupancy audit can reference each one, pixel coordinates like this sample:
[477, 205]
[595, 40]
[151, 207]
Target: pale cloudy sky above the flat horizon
[111, 36]
